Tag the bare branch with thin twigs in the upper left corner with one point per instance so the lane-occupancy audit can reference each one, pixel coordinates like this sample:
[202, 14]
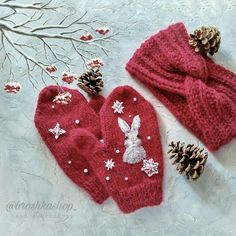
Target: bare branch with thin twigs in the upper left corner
[47, 35]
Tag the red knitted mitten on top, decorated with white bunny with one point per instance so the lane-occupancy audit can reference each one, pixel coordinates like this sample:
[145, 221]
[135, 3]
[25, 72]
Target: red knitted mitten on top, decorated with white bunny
[128, 185]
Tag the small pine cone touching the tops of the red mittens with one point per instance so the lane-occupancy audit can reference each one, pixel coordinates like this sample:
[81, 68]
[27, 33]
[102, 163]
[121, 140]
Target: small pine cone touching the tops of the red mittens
[91, 81]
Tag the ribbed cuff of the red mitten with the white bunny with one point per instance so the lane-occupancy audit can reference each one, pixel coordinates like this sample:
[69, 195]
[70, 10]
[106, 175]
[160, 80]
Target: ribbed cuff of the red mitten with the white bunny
[138, 196]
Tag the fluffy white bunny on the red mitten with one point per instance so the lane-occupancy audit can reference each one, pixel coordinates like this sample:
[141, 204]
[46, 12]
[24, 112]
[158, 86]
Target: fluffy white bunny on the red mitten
[134, 152]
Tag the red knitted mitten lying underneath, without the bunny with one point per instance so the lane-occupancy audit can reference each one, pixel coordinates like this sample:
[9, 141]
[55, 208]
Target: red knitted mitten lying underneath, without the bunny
[69, 159]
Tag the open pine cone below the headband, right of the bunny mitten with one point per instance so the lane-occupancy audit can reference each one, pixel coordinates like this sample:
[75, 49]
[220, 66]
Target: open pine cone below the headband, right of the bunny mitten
[190, 160]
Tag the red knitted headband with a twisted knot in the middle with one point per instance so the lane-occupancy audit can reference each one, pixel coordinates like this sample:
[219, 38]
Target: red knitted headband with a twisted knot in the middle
[200, 93]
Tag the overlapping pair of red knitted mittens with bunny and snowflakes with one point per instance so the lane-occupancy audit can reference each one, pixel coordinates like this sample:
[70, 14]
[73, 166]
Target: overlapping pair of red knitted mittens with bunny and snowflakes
[114, 149]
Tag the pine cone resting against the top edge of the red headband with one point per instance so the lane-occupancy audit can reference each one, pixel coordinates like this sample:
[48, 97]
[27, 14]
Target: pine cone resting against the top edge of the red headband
[205, 40]
